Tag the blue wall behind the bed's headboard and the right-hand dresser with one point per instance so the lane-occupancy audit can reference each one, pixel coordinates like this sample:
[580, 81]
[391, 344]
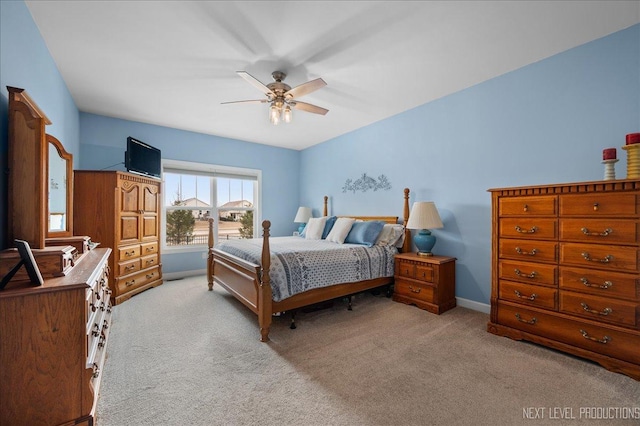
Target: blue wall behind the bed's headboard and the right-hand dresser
[544, 123]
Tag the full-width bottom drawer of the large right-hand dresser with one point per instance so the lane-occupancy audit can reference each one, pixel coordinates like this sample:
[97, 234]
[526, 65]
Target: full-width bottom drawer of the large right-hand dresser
[608, 340]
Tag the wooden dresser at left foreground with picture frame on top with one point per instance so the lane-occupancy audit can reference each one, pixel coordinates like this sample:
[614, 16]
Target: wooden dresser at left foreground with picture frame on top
[53, 345]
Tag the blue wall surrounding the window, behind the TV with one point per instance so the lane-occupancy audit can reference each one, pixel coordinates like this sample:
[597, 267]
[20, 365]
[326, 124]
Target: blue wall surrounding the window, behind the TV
[104, 143]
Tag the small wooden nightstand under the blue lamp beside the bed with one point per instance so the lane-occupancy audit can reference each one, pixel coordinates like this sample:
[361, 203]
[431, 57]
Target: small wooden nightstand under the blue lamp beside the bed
[429, 282]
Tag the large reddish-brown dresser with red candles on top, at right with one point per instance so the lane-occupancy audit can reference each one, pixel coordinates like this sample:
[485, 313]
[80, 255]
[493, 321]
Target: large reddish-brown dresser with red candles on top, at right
[565, 269]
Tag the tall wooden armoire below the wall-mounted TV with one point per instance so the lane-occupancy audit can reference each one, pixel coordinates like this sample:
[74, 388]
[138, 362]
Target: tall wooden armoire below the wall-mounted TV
[122, 210]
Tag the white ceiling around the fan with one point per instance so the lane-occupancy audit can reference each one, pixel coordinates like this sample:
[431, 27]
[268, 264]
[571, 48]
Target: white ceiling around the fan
[173, 63]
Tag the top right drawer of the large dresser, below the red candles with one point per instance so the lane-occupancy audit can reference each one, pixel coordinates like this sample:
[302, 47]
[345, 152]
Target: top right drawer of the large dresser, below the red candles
[599, 204]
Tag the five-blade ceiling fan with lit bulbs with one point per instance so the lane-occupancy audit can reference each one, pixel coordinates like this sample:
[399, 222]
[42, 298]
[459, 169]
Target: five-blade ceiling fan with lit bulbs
[282, 98]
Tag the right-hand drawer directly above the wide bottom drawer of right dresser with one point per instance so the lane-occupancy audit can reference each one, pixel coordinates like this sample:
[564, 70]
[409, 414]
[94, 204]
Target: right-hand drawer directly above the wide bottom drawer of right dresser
[599, 308]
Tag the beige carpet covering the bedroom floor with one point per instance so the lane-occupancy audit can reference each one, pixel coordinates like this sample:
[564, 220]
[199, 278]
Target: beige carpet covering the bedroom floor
[181, 355]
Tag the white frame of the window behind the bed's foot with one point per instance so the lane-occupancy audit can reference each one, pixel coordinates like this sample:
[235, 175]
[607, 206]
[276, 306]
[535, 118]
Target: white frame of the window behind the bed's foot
[213, 171]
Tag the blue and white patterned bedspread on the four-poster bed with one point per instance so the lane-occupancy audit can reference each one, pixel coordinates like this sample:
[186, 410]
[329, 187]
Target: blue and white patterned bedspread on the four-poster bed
[298, 264]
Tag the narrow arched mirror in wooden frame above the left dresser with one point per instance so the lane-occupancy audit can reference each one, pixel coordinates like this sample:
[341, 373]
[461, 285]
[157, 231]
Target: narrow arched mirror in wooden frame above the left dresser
[59, 189]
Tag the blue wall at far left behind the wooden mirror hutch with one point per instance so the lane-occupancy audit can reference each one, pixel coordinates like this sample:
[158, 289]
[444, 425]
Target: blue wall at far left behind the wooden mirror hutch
[25, 62]
